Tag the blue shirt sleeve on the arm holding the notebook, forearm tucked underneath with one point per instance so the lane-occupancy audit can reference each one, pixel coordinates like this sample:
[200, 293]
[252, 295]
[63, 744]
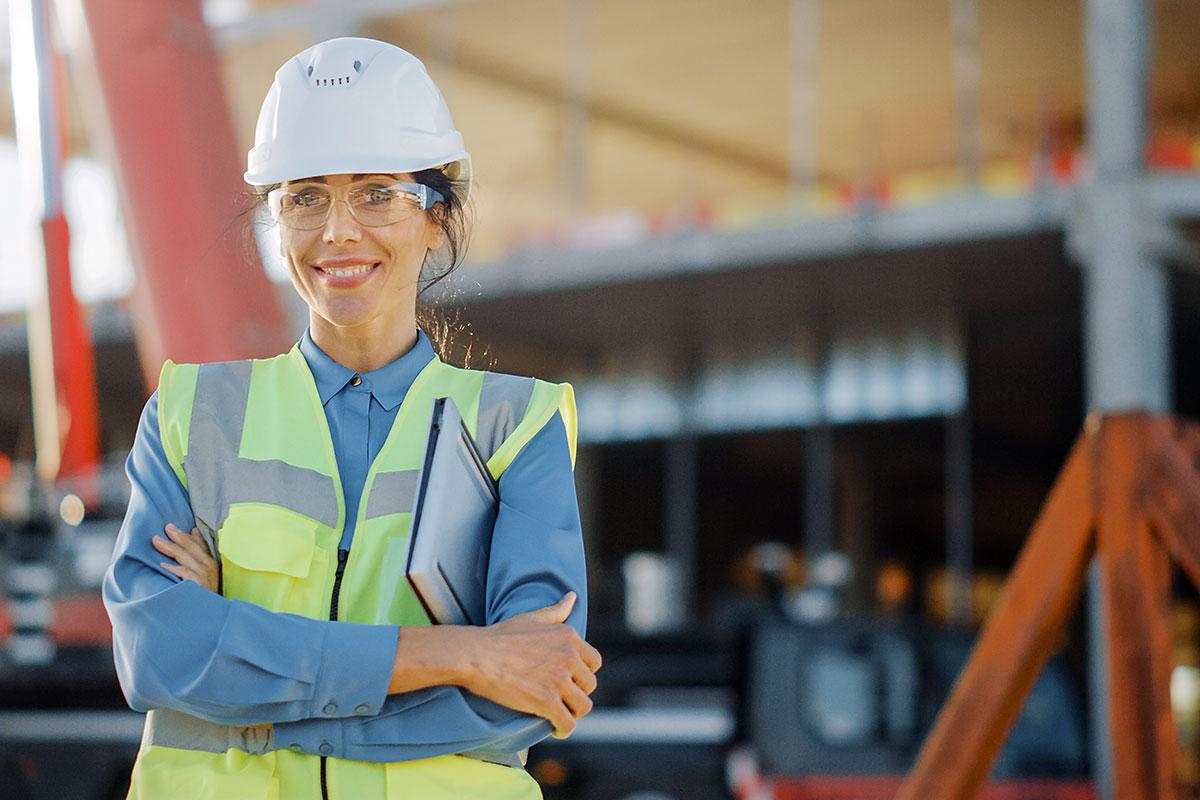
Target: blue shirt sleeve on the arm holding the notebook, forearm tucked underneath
[537, 557]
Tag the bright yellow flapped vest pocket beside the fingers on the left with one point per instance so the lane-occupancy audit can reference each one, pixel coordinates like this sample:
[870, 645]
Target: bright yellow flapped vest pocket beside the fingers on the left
[269, 557]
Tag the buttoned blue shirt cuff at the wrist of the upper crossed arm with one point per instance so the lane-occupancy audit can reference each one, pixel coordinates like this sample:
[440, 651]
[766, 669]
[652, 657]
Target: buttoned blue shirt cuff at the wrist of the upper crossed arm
[356, 670]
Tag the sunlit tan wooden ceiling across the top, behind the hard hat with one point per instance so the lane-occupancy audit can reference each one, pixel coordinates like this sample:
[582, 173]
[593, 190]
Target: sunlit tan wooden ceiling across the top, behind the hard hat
[688, 100]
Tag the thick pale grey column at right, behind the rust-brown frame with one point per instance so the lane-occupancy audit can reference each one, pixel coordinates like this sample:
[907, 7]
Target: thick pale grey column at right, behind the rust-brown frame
[1126, 293]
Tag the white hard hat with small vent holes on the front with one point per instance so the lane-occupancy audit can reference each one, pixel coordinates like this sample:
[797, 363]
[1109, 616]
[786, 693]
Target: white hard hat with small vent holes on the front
[355, 106]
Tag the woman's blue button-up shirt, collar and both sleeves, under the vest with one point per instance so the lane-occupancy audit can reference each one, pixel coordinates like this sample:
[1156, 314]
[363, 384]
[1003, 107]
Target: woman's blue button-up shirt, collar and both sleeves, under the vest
[325, 684]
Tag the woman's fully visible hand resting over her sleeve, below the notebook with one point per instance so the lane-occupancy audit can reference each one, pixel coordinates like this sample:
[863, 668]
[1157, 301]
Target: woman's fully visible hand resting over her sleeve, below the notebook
[536, 664]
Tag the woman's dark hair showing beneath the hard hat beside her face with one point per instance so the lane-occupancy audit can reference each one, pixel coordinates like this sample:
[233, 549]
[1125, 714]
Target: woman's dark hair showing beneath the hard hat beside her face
[455, 216]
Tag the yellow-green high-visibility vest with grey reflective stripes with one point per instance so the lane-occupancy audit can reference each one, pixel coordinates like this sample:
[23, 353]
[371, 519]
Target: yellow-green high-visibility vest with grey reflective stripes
[250, 442]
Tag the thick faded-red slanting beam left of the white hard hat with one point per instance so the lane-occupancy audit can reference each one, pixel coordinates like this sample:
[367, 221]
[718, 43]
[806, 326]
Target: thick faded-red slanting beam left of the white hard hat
[202, 294]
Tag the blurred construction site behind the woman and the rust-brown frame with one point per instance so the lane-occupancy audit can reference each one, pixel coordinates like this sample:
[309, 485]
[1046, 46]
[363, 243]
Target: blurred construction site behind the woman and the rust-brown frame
[836, 282]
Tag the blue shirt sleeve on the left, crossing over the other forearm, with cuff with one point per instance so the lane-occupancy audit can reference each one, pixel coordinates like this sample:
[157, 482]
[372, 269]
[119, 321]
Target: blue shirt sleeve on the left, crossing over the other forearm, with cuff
[179, 646]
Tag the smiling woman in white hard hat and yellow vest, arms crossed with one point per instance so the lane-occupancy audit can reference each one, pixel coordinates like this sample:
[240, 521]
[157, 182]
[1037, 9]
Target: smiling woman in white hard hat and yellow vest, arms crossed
[299, 669]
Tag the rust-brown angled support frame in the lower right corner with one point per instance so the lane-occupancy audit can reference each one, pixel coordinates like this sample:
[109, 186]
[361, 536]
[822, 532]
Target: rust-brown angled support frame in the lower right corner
[1131, 494]
